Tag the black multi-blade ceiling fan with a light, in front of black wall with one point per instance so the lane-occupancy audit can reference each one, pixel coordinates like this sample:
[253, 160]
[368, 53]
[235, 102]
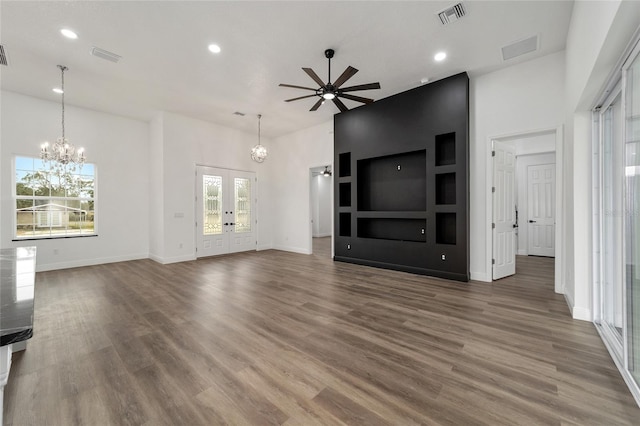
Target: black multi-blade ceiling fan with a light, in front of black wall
[333, 91]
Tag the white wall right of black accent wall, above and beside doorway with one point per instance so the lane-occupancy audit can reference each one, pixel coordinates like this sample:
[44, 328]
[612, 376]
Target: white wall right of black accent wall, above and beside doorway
[523, 98]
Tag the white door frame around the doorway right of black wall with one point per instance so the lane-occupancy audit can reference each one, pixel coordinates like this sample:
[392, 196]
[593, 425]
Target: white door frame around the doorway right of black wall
[559, 259]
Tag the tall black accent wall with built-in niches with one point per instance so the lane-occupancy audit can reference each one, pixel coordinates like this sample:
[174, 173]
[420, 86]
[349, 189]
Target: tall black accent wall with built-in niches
[401, 191]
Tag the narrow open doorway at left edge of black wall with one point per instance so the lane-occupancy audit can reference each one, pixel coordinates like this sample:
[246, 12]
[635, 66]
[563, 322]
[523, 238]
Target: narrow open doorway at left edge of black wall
[321, 183]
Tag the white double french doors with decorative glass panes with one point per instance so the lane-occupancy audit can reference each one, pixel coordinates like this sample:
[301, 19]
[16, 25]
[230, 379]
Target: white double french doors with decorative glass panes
[225, 205]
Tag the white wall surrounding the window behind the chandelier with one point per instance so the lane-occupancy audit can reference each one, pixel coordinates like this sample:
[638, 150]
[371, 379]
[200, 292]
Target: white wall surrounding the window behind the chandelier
[119, 148]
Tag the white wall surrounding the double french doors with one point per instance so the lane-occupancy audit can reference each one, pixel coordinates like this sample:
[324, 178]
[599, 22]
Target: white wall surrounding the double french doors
[187, 142]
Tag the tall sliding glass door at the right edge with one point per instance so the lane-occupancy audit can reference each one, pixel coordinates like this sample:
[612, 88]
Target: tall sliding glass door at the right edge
[616, 198]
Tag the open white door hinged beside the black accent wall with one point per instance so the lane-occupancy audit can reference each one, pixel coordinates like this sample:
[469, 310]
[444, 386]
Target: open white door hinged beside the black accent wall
[504, 207]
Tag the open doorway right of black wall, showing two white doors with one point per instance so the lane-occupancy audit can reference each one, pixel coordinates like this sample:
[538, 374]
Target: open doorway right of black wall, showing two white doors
[525, 185]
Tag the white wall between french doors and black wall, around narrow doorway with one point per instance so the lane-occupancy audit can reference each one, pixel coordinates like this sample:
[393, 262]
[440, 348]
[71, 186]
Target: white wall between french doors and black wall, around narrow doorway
[292, 156]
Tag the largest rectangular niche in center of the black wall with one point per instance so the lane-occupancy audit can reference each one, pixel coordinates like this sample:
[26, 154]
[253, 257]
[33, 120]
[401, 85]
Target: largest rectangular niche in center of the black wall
[393, 182]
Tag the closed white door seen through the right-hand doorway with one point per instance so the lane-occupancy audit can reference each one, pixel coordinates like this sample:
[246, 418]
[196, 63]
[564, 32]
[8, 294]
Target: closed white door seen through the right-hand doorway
[541, 184]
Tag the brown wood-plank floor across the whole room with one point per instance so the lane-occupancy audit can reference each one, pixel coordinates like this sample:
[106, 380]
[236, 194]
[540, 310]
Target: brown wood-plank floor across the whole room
[282, 338]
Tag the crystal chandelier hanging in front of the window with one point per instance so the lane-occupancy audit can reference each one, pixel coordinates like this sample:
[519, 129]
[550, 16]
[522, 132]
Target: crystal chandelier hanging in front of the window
[62, 157]
